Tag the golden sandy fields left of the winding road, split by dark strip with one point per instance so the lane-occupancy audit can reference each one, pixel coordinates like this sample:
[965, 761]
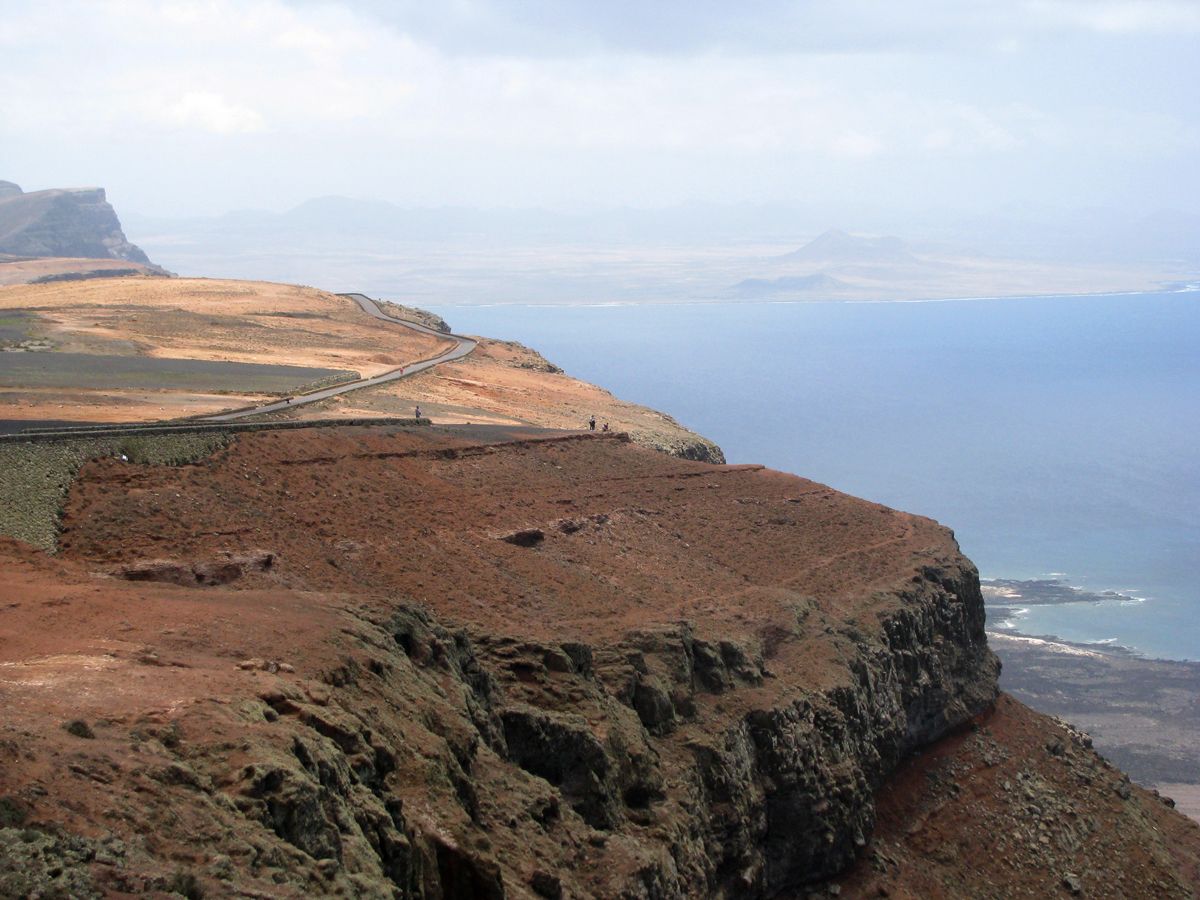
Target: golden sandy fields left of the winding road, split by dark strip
[195, 320]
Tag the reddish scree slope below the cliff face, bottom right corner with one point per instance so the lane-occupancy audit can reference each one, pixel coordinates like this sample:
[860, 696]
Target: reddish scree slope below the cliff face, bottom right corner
[1012, 807]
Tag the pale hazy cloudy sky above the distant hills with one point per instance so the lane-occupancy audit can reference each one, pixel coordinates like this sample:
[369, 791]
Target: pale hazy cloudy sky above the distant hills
[944, 106]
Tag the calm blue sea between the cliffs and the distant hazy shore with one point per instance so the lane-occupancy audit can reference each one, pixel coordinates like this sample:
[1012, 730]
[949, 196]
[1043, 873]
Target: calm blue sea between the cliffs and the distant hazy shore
[1058, 436]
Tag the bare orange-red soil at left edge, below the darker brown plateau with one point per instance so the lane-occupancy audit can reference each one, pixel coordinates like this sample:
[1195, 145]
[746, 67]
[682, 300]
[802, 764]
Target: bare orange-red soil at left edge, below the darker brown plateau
[80, 647]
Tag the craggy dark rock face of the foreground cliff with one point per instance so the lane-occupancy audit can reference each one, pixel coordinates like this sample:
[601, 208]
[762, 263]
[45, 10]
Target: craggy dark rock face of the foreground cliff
[688, 765]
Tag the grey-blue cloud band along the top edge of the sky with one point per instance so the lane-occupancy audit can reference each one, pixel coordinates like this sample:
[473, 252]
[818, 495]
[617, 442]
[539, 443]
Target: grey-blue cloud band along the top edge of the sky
[569, 28]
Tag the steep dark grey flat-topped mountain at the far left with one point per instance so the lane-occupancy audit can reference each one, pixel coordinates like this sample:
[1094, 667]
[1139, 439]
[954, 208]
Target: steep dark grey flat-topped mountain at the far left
[63, 223]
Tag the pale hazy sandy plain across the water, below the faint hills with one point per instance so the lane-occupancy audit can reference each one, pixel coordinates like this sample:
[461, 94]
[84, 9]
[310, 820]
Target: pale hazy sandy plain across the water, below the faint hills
[442, 275]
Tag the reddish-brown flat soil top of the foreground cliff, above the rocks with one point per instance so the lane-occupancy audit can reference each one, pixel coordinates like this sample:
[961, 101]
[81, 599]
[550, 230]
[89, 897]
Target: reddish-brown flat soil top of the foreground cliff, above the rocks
[631, 537]
